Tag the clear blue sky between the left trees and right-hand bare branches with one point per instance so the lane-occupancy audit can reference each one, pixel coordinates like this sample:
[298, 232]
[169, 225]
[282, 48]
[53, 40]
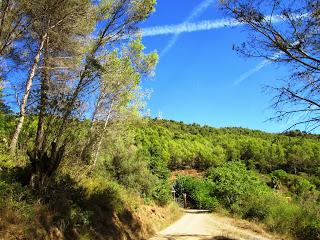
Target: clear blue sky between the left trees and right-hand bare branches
[198, 78]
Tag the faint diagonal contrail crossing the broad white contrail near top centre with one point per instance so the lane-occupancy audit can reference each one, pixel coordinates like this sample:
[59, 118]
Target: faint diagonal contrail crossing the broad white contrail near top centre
[195, 13]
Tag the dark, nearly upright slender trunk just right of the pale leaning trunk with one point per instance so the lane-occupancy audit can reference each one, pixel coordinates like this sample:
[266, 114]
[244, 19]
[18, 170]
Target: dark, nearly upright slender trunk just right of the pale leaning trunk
[43, 98]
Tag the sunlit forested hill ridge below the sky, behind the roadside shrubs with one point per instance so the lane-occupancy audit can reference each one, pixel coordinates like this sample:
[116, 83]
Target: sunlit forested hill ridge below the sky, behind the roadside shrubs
[178, 146]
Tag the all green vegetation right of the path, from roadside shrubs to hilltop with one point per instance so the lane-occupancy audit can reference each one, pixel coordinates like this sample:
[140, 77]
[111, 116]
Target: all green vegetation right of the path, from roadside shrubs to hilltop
[270, 178]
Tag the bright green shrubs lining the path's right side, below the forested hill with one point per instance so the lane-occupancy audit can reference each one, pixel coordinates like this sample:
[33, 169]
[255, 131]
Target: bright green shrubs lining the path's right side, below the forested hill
[244, 194]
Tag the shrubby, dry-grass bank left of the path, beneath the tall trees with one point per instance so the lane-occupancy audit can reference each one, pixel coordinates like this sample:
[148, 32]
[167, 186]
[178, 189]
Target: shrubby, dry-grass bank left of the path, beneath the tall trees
[78, 202]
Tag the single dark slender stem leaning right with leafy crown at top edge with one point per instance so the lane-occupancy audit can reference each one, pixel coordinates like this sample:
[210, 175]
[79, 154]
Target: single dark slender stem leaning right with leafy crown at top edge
[118, 20]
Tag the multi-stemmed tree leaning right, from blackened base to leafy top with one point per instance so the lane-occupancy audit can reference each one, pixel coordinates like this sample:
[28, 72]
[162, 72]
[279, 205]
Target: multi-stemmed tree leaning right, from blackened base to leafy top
[70, 101]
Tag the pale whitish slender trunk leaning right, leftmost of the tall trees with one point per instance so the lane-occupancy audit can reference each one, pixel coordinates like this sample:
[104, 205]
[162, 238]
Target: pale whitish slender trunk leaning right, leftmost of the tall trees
[23, 105]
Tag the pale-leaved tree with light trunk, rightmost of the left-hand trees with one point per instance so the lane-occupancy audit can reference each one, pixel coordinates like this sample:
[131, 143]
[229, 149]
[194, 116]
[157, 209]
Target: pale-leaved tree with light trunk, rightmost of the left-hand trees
[119, 87]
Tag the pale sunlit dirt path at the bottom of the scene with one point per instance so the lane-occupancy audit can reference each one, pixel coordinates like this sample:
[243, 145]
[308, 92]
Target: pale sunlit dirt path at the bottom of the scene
[195, 225]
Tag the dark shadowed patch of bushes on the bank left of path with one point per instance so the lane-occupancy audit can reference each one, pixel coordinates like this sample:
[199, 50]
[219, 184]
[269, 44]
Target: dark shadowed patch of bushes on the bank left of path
[100, 214]
